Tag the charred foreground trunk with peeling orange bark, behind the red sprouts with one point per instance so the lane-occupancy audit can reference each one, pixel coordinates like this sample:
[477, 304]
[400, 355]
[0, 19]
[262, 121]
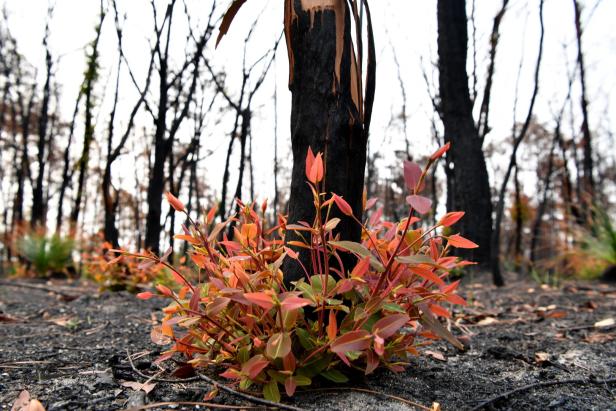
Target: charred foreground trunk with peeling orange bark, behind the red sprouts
[327, 114]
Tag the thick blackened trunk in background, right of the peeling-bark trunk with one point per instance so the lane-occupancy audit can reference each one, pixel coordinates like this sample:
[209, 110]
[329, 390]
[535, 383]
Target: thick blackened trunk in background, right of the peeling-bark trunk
[470, 185]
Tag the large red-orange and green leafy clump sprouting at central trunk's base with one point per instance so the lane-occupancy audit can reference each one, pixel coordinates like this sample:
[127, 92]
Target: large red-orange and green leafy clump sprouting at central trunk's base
[237, 313]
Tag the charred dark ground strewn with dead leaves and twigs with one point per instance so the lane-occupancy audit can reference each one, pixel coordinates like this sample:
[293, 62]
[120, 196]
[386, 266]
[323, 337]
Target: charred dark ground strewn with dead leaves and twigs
[531, 347]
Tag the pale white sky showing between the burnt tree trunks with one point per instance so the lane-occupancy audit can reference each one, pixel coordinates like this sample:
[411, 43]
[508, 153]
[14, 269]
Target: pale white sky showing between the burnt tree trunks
[406, 26]
